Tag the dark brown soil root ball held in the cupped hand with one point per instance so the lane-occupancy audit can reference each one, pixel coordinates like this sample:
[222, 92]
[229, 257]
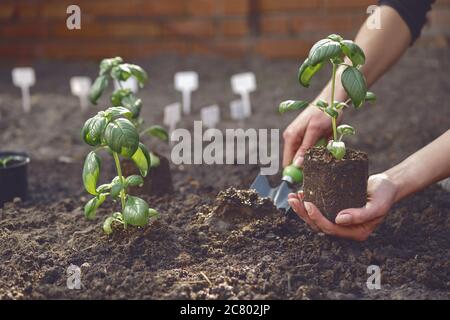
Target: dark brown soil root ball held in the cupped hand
[333, 185]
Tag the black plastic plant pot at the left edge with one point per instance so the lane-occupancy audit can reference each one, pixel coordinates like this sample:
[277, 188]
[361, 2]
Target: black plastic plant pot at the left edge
[13, 176]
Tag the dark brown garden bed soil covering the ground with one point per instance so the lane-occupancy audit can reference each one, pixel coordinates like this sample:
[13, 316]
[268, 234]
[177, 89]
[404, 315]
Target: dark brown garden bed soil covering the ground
[233, 245]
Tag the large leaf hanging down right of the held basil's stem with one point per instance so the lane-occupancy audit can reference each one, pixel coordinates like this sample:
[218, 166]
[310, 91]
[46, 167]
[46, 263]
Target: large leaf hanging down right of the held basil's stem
[355, 85]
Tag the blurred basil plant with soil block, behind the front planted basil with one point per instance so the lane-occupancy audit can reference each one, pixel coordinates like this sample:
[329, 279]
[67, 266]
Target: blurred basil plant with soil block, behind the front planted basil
[159, 180]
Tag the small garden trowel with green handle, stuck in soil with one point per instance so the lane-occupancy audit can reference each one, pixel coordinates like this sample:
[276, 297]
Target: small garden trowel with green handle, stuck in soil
[279, 195]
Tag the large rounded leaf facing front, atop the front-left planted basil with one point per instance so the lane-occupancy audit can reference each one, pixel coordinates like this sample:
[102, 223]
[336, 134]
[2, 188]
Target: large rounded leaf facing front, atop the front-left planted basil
[121, 136]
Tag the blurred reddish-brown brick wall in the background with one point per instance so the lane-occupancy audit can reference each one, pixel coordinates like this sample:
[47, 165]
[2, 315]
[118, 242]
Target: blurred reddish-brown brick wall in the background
[138, 28]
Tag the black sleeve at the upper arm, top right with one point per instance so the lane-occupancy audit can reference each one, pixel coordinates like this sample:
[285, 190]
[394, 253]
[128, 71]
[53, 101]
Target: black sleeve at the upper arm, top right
[413, 12]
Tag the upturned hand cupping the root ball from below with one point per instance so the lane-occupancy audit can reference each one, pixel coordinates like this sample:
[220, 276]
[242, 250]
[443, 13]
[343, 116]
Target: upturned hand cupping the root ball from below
[355, 223]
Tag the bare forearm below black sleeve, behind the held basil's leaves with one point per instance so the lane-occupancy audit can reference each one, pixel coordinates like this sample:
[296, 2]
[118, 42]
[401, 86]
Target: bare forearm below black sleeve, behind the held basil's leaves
[382, 47]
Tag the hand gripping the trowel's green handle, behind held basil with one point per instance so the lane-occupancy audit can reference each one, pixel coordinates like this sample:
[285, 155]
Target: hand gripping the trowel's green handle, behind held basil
[309, 126]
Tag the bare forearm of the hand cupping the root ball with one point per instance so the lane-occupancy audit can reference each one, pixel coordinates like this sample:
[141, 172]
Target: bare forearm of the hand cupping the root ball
[425, 167]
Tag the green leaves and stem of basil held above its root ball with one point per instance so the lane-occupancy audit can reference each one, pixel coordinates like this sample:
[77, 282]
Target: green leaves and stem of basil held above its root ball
[333, 50]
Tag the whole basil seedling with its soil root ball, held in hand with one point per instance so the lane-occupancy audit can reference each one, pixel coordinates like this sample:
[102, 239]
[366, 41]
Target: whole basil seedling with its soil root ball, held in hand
[335, 177]
